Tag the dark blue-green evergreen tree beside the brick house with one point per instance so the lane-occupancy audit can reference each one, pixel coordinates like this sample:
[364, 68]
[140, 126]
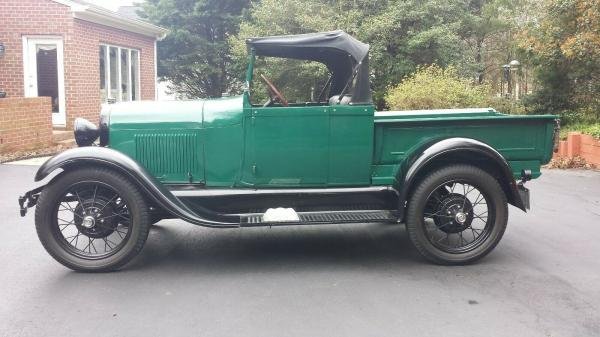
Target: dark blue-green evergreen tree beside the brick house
[195, 56]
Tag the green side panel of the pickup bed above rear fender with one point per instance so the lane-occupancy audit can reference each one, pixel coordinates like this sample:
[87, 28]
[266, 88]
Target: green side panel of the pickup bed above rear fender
[524, 141]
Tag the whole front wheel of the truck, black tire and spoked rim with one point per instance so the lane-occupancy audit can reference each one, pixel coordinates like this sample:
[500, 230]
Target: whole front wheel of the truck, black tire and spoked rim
[92, 219]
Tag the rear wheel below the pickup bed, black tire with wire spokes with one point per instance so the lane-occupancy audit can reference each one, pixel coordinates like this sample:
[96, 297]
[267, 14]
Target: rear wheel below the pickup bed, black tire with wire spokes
[422, 226]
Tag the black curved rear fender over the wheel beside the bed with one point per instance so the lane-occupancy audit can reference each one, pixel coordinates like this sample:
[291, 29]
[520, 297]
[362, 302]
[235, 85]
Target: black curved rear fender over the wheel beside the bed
[428, 153]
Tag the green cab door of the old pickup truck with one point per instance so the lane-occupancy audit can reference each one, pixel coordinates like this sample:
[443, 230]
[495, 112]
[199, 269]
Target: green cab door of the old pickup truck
[287, 146]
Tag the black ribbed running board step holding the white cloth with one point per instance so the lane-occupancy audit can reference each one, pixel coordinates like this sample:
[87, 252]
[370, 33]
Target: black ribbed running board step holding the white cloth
[320, 218]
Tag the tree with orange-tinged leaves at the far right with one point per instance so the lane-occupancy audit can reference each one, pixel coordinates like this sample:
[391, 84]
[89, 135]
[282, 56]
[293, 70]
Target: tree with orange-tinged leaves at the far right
[564, 44]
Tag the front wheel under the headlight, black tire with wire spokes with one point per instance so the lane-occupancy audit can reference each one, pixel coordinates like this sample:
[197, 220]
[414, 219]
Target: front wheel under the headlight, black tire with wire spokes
[135, 211]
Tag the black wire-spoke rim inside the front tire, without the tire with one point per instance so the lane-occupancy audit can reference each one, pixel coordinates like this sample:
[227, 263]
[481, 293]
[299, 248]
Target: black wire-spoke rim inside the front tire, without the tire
[92, 220]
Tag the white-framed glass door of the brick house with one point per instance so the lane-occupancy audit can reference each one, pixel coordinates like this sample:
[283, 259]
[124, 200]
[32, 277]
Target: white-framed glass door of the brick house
[44, 73]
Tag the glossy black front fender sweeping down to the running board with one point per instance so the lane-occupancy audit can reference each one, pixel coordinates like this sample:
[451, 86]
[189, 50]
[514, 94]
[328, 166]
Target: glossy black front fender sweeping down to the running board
[91, 156]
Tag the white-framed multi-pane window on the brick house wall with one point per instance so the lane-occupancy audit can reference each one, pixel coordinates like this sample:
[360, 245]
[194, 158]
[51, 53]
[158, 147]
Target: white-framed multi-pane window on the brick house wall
[119, 74]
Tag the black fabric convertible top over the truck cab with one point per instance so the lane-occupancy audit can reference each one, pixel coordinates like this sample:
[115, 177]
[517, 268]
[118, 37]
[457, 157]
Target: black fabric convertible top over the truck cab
[345, 57]
